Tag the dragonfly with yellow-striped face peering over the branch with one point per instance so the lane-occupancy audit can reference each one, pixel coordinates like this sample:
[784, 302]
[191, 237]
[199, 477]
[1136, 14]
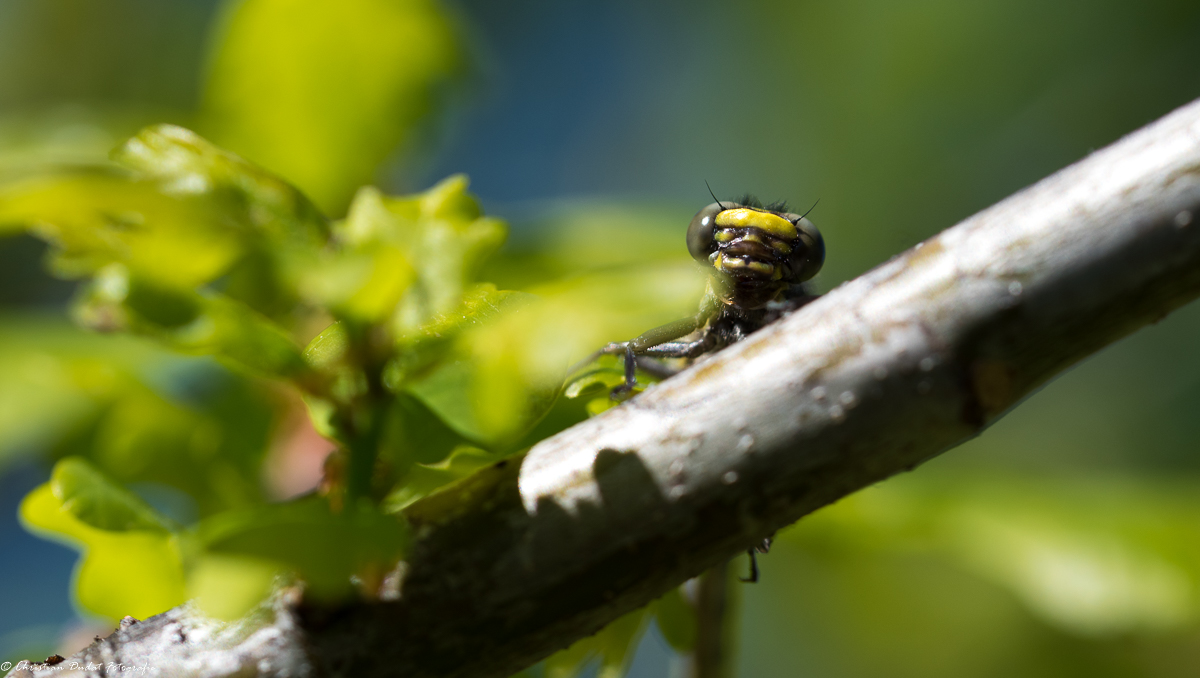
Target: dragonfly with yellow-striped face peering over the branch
[760, 260]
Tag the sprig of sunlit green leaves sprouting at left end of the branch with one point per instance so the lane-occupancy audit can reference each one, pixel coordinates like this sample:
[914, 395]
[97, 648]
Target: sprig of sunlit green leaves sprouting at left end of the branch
[422, 253]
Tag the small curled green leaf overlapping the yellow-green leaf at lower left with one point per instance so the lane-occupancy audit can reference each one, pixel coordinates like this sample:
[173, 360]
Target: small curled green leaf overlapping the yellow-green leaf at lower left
[99, 502]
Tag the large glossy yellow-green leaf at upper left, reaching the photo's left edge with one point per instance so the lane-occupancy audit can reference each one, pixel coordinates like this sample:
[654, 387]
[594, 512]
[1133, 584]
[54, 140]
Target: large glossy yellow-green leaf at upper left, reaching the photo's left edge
[182, 213]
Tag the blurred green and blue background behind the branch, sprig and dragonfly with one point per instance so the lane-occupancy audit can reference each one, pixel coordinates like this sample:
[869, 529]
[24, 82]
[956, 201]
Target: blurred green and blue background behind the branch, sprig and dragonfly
[1063, 542]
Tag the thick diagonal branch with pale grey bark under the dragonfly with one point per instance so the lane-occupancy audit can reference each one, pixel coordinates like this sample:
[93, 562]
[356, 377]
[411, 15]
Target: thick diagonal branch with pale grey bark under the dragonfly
[874, 379]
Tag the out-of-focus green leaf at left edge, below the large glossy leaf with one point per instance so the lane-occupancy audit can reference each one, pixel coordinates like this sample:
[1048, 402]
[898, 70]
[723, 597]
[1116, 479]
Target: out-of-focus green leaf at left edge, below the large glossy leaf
[117, 401]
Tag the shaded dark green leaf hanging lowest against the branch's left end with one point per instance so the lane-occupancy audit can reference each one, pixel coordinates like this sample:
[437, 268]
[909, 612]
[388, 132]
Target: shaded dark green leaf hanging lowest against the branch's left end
[304, 537]
